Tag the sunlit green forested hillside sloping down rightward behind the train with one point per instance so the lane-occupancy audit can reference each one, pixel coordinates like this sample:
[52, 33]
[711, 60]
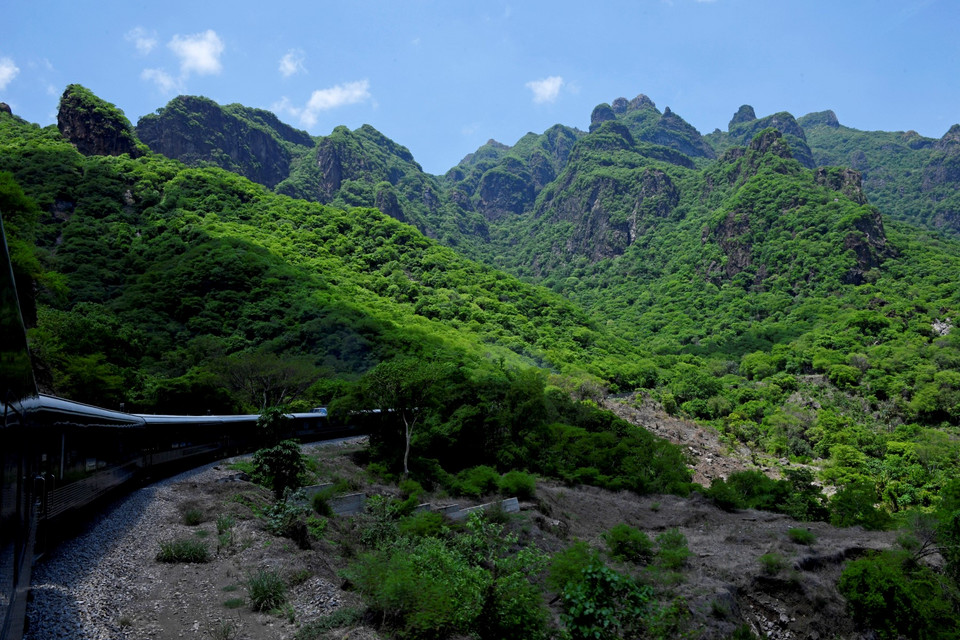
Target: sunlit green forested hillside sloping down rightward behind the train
[163, 278]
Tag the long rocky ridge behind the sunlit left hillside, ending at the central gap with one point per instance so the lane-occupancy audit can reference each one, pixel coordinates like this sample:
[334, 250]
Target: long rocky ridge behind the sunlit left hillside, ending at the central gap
[361, 168]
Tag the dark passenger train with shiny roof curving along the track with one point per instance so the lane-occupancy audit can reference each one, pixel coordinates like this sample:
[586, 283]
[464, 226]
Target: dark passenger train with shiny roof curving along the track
[58, 457]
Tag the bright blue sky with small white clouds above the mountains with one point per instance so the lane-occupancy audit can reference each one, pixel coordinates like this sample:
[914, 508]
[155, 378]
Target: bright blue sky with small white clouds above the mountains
[442, 77]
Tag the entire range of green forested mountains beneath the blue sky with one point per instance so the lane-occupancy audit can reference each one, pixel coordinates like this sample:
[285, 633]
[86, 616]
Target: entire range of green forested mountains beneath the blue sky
[755, 291]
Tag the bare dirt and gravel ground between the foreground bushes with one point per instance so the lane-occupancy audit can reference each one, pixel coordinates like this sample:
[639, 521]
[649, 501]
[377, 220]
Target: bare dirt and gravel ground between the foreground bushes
[723, 586]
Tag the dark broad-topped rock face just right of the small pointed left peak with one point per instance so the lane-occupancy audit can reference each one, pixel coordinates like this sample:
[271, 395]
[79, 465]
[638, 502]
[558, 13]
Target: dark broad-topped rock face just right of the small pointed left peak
[250, 142]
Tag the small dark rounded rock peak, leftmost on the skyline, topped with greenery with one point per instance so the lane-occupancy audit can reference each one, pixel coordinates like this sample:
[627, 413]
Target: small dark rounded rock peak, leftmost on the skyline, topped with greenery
[95, 127]
